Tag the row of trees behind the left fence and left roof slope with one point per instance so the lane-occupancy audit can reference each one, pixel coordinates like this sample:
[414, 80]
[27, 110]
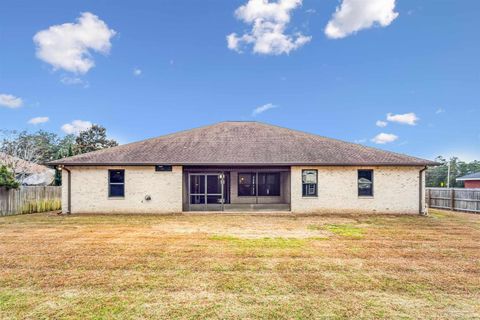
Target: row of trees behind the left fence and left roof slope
[42, 147]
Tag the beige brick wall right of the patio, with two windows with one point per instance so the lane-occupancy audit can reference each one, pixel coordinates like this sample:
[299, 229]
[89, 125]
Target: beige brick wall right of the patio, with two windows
[396, 190]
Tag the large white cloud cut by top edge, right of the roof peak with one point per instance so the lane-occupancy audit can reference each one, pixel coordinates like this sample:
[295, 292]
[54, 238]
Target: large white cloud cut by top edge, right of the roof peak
[355, 15]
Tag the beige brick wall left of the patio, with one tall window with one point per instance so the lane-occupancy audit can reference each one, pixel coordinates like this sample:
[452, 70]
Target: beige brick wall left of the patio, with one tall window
[90, 190]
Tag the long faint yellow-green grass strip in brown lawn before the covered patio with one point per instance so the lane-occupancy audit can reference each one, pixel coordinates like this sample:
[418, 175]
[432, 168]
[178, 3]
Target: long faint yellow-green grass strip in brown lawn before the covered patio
[273, 243]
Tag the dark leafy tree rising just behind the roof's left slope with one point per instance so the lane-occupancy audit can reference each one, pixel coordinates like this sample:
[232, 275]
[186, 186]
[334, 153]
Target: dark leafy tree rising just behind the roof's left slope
[93, 139]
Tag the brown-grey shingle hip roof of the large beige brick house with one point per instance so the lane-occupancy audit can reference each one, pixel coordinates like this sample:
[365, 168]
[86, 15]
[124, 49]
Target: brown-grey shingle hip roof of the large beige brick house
[242, 143]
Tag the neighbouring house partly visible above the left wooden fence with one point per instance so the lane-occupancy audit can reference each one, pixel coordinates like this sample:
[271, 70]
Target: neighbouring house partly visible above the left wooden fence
[28, 173]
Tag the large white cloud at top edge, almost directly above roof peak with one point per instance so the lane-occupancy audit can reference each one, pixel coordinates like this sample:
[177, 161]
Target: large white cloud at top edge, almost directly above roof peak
[269, 21]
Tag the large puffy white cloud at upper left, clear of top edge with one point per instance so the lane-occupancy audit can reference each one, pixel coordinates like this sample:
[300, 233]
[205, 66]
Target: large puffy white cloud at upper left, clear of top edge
[68, 46]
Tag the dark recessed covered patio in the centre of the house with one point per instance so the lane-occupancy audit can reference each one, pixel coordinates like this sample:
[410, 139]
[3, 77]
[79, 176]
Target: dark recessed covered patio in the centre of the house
[241, 188]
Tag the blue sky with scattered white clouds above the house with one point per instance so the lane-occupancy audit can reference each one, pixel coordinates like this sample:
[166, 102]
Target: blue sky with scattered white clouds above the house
[398, 75]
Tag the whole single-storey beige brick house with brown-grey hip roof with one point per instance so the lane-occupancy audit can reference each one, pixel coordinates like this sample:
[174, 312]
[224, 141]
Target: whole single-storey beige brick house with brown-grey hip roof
[242, 166]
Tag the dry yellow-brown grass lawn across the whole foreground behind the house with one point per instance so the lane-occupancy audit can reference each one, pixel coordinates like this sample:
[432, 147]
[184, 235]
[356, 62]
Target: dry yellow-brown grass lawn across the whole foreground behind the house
[240, 266]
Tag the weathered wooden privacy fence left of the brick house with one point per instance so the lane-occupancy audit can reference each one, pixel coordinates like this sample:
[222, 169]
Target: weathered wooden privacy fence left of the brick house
[29, 200]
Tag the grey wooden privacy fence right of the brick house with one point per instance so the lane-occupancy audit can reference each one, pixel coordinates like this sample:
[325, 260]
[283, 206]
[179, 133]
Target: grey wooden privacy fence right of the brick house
[454, 199]
